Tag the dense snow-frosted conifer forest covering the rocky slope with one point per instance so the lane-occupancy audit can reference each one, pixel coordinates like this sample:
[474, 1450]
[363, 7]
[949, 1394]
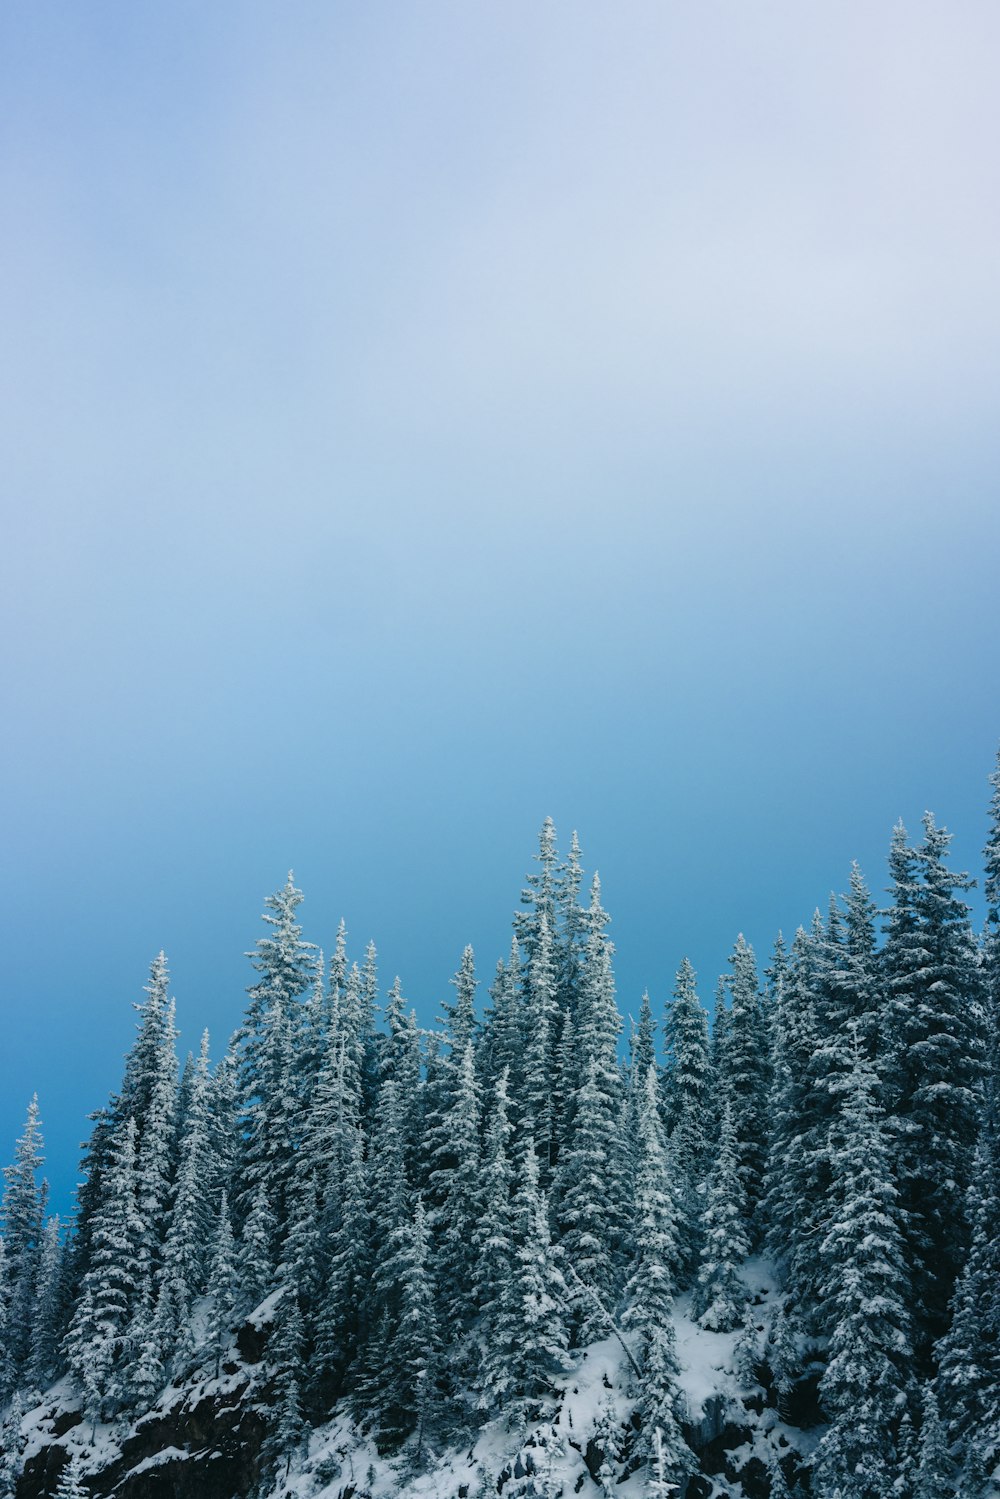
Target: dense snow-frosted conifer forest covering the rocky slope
[531, 1237]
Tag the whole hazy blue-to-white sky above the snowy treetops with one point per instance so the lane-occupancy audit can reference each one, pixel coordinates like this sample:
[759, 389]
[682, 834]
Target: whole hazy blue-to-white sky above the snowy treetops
[419, 420]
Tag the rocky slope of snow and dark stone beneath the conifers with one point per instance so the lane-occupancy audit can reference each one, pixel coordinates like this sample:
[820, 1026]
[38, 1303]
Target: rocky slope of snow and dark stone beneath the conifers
[205, 1435]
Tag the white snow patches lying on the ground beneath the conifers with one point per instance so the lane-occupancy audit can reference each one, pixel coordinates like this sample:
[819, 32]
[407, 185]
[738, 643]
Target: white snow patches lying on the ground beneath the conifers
[593, 1404]
